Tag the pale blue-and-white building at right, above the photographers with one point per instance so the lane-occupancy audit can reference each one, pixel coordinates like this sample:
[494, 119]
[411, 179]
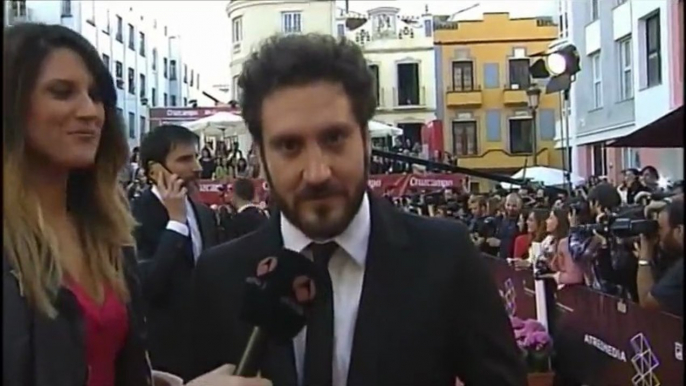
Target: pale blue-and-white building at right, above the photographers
[624, 83]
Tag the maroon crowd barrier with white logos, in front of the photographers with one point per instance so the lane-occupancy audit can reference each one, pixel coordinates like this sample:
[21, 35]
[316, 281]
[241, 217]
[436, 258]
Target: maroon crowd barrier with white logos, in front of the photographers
[600, 340]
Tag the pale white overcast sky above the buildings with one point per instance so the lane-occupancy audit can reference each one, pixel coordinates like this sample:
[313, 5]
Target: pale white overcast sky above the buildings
[205, 28]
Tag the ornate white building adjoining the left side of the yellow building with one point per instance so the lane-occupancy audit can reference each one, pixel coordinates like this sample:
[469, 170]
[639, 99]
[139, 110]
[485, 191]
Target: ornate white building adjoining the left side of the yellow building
[400, 52]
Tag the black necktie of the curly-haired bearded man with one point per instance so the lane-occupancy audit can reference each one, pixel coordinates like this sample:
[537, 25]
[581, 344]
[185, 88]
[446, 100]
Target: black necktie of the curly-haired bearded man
[319, 346]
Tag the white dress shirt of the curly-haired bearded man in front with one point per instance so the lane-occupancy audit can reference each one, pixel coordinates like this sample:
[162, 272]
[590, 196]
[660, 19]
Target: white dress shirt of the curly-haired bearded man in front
[347, 273]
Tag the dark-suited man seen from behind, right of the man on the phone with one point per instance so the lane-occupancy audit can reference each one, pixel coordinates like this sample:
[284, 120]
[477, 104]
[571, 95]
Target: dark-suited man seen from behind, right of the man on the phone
[248, 217]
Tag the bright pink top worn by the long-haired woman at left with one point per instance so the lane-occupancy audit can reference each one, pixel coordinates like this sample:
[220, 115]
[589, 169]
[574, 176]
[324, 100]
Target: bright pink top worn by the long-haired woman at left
[106, 328]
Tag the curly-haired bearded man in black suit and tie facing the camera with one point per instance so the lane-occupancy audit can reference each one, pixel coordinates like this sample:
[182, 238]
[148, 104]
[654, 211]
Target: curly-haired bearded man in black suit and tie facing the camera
[410, 301]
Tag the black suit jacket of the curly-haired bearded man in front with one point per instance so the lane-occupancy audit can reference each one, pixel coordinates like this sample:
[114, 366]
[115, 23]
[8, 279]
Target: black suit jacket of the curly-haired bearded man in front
[429, 310]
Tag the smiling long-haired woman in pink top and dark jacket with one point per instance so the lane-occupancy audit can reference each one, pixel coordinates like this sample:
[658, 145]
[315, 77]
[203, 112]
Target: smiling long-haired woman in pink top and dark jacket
[72, 311]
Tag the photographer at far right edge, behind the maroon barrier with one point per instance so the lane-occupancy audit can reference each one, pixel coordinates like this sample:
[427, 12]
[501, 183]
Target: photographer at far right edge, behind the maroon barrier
[656, 289]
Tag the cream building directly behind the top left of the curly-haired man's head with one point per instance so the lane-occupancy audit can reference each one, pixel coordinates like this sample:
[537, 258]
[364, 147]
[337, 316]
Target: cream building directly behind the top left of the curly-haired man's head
[252, 21]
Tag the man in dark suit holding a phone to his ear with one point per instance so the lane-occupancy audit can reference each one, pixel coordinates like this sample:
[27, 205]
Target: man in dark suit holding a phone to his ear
[173, 230]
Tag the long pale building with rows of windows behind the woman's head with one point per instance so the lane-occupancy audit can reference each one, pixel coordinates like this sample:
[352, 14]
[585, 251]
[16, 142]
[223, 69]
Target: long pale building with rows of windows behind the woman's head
[143, 55]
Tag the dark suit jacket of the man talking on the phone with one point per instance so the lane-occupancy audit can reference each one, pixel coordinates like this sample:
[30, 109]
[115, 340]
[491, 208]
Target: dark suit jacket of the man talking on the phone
[166, 269]
